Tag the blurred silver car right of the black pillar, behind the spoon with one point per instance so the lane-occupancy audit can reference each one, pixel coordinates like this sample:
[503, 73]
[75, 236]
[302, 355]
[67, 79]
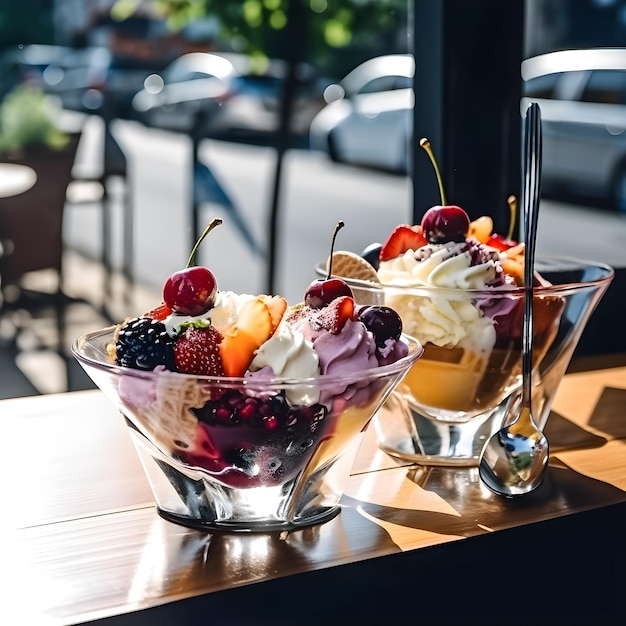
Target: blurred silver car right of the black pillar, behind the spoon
[582, 96]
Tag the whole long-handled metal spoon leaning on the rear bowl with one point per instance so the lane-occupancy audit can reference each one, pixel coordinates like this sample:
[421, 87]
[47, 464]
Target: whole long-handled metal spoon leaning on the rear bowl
[514, 460]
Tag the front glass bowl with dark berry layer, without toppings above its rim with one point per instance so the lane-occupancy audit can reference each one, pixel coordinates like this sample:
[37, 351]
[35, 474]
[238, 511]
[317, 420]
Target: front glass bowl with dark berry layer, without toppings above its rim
[243, 454]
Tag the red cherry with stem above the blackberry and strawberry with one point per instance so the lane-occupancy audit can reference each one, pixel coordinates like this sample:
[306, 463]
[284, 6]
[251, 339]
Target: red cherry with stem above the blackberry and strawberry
[192, 291]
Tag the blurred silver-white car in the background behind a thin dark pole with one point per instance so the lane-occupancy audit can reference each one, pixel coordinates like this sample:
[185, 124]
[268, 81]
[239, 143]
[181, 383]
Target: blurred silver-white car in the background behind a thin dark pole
[224, 95]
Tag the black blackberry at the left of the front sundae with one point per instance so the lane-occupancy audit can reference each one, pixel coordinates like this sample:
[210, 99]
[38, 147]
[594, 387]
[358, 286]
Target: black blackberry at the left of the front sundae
[143, 343]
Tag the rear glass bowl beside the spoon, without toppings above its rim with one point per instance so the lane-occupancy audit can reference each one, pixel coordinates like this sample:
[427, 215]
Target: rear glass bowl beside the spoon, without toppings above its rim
[468, 380]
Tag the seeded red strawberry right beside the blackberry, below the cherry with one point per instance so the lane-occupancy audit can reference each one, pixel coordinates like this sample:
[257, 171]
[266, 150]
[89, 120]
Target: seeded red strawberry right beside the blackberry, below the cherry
[197, 350]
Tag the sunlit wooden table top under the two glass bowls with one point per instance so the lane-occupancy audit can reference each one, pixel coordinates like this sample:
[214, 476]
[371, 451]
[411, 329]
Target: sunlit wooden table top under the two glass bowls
[83, 530]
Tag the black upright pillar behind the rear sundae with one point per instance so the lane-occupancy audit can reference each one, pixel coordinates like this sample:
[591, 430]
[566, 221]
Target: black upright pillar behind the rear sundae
[468, 87]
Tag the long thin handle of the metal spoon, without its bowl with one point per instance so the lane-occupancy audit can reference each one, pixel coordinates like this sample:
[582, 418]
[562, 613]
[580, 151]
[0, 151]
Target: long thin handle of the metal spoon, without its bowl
[531, 197]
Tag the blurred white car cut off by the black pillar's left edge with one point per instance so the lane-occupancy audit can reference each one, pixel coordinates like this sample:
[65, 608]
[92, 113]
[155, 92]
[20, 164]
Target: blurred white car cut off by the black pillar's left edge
[369, 116]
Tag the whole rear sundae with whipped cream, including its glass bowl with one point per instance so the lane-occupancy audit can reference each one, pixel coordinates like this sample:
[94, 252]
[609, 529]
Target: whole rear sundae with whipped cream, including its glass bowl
[459, 289]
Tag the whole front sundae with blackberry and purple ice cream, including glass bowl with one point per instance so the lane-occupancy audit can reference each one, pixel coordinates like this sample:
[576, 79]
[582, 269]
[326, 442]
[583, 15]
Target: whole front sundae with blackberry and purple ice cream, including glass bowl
[243, 392]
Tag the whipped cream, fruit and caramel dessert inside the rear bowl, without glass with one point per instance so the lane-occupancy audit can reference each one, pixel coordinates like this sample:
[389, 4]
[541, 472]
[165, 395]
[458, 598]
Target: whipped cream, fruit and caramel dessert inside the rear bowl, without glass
[457, 287]
